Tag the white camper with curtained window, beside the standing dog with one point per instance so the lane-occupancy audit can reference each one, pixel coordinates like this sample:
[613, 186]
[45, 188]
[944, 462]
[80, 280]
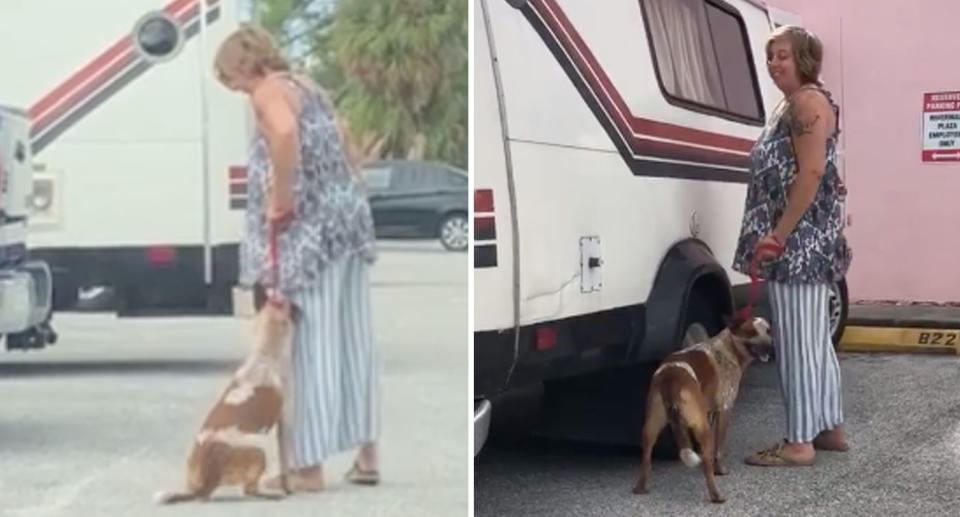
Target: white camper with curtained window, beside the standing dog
[610, 166]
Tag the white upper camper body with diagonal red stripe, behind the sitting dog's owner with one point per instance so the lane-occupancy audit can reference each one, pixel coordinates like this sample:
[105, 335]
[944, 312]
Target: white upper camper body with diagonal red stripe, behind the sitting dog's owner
[119, 139]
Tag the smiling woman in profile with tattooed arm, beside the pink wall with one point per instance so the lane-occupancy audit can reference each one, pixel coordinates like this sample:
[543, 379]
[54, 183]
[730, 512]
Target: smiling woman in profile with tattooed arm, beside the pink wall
[793, 227]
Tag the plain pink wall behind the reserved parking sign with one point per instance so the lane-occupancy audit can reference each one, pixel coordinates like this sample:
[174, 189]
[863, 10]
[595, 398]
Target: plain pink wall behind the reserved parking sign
[880, 58]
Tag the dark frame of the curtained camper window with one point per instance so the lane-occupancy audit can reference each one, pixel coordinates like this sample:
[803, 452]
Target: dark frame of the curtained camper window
[700, 107]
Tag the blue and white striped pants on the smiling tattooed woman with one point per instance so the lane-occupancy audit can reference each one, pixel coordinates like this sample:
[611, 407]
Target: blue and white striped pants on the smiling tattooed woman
[806, 361]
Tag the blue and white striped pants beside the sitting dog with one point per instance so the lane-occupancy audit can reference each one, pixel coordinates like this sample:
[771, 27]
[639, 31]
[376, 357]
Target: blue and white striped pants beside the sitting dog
[336, 374]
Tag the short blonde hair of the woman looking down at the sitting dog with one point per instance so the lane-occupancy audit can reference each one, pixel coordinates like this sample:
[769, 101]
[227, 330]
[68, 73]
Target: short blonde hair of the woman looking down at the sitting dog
[249, 51]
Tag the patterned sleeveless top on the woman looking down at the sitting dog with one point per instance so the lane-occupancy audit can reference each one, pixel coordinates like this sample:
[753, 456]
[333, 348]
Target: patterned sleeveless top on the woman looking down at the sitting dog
[332, 213]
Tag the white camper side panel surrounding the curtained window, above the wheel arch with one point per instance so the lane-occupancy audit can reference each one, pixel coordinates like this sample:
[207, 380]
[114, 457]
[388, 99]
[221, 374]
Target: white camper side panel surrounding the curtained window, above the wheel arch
[573, 179]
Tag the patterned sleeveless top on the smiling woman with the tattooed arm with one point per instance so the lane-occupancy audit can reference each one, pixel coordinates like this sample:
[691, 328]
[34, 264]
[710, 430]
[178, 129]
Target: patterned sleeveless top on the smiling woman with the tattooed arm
[817, 250]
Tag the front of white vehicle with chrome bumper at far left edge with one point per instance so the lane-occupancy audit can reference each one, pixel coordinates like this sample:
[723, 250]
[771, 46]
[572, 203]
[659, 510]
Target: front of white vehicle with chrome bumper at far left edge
[25, 283]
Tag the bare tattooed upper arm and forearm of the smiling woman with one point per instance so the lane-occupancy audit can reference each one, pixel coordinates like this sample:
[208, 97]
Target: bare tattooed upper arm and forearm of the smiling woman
[809, 120]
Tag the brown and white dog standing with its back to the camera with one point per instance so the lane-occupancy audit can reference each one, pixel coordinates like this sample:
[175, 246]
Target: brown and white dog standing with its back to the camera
[694, 390]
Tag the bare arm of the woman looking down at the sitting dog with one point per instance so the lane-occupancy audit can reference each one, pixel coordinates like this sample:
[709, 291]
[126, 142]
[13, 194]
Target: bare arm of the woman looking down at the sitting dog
[278, 120]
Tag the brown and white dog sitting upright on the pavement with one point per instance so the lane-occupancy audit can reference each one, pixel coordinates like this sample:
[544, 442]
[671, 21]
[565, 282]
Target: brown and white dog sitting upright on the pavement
[230, 448]
